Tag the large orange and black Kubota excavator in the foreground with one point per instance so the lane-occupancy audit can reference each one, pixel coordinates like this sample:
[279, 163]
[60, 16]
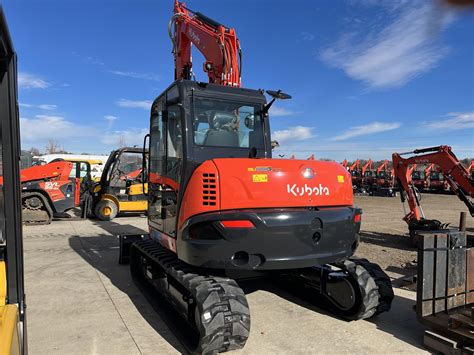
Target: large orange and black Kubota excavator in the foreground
[221, 209]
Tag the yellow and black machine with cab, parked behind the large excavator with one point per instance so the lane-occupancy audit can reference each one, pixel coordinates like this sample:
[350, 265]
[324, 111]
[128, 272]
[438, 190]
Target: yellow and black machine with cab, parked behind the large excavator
[123, 186]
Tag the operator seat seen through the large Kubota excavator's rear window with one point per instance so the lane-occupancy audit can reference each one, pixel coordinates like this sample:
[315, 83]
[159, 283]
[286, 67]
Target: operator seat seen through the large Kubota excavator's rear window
[223, 130]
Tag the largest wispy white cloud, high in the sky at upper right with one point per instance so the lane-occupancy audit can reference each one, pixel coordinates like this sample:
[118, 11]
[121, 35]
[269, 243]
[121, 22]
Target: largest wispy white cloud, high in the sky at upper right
[397, 53]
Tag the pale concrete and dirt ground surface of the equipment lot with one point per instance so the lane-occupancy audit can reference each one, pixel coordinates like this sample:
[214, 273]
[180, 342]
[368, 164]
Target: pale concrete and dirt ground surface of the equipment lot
[81, 301]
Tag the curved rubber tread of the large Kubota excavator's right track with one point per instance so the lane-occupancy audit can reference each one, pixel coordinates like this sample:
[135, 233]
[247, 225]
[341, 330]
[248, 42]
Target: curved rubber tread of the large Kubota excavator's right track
[375, 287]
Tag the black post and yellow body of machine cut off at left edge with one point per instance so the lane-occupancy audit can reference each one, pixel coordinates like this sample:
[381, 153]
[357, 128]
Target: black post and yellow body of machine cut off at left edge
[12, 298]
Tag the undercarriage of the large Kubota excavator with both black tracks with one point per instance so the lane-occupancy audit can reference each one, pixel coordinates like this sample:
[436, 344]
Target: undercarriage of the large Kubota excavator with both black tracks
[216, 307]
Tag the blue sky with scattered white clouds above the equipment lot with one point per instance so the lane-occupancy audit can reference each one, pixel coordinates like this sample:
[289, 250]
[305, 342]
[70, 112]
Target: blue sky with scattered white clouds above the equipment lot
[367, 77]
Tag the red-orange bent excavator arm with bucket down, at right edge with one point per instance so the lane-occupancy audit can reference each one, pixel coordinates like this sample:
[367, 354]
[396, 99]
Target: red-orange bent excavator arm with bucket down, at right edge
[456, 175]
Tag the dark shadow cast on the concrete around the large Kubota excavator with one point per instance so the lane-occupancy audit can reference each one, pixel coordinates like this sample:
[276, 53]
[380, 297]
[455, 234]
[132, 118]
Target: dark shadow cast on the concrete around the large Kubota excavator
[101, 252]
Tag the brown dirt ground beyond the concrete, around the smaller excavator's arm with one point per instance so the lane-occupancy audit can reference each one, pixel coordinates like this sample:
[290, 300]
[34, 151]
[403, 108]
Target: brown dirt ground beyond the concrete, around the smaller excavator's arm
[384, 235]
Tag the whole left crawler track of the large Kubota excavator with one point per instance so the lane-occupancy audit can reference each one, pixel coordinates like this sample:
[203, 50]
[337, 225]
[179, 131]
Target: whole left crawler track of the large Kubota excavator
[214, 306]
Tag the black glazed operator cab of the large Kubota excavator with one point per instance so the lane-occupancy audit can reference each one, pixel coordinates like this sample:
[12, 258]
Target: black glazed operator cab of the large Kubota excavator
[191, 123]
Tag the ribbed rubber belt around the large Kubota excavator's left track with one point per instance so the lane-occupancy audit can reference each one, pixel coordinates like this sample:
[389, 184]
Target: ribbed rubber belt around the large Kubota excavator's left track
[223, 309]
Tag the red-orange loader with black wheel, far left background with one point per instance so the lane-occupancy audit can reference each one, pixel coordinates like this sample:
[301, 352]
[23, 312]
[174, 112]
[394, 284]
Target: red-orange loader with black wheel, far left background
[51, 190]
